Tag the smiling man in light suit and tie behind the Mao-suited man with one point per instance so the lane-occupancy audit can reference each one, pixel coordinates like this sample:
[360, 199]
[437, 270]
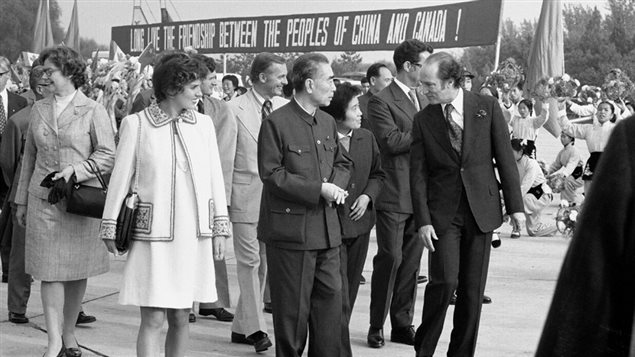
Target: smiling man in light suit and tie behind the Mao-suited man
[269, 75]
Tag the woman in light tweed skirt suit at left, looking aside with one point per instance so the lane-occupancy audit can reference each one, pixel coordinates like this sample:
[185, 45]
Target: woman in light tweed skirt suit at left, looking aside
[63, 249]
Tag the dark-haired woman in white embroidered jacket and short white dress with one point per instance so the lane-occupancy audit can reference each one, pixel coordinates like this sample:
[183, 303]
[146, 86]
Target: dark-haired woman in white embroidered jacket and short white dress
[170, 150]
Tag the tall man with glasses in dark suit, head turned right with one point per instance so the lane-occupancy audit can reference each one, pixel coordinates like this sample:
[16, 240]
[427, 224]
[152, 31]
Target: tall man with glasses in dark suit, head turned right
[396, 265]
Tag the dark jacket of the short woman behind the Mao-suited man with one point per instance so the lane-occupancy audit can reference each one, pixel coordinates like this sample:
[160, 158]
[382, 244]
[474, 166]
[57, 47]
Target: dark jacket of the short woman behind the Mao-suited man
[367, 178]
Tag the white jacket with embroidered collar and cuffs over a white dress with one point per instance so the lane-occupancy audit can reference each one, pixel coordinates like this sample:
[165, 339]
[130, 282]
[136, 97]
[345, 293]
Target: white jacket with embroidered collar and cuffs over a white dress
[156, 148]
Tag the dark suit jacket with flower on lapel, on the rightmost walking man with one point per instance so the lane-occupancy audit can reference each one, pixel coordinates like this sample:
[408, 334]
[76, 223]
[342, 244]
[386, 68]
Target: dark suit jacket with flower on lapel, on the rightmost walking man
[438, 176]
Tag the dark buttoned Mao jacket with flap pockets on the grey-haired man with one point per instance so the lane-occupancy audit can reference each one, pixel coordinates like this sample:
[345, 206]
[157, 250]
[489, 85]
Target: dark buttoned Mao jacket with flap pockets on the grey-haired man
[297, 152]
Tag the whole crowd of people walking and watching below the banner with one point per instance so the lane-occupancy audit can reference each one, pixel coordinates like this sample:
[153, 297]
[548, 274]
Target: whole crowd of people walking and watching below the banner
[297, 171]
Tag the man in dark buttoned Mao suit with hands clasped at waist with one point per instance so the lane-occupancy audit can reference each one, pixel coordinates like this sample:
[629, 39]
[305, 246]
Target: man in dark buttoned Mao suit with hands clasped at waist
[304, 174]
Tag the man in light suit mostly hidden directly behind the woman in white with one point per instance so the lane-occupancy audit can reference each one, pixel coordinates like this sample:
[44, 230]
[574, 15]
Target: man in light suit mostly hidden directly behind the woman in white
[226, 136]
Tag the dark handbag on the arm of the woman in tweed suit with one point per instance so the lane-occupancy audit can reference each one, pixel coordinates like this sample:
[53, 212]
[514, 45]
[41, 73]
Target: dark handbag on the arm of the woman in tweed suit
[87, 200]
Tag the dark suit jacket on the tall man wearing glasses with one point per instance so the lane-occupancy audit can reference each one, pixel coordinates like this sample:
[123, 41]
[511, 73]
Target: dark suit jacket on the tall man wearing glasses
[391, 113]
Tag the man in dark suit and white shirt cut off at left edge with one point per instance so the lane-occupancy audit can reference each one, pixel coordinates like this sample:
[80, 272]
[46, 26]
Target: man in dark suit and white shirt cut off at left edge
[9, 104]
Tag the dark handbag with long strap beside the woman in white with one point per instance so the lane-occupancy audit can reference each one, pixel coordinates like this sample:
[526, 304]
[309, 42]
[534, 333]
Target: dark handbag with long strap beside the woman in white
[128, 212]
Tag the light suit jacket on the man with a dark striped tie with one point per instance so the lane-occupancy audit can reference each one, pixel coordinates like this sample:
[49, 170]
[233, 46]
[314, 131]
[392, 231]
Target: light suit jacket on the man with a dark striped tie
[246, 185]
